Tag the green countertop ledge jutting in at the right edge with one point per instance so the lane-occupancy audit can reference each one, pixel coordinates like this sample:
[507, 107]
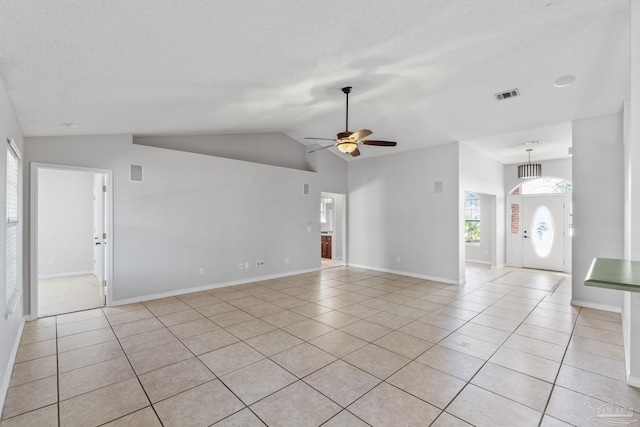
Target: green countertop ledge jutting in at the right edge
[620, 274]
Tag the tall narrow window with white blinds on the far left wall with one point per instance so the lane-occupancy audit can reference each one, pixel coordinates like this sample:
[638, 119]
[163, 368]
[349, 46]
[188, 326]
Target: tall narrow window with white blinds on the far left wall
[13, 287]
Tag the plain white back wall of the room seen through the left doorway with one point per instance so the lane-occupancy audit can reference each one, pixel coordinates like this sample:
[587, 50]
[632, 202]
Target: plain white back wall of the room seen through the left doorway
[65, 227]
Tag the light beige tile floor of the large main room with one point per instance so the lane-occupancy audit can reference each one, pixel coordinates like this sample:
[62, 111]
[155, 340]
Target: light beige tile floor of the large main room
[340, 347]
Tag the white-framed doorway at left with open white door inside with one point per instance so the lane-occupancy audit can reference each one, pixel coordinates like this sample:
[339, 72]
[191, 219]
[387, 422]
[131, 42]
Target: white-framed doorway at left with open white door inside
[70, 261]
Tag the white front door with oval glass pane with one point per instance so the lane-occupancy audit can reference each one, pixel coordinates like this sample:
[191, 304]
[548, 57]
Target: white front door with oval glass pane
[543, 232]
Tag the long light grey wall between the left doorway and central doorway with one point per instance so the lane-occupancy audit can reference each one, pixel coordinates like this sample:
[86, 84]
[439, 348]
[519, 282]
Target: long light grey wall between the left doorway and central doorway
[195, 211]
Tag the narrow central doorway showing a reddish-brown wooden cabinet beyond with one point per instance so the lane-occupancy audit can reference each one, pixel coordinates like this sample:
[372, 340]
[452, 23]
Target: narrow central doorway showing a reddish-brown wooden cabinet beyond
[332, 229]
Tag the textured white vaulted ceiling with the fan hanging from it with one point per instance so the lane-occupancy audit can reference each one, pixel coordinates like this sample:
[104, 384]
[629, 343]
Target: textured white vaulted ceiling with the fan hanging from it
[424, 72]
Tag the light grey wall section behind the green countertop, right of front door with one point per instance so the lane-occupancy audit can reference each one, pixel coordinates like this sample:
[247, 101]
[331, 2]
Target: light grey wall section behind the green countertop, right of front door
[598, 203]
